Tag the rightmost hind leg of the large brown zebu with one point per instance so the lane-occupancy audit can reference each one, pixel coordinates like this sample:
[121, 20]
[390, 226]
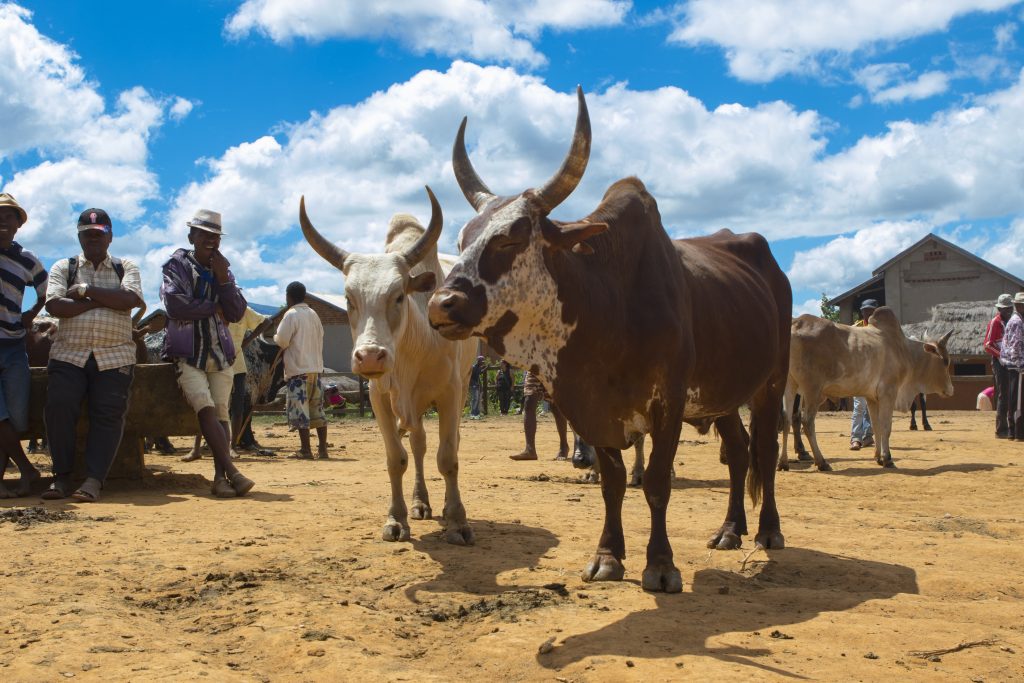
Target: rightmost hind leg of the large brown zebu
[764, 452]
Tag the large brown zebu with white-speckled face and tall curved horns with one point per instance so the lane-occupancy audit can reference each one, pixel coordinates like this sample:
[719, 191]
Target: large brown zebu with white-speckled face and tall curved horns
[633, 333]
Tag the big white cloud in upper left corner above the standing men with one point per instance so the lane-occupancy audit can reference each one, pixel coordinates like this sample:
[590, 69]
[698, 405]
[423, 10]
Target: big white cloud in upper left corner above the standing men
[83, 154]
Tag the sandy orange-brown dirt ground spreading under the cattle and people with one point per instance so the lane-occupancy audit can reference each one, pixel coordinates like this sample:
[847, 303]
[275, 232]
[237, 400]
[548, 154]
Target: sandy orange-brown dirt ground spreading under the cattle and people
[160, 581]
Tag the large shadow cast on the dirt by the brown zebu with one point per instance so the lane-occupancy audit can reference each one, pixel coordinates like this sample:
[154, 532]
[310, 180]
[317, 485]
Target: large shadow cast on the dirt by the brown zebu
[795, 586]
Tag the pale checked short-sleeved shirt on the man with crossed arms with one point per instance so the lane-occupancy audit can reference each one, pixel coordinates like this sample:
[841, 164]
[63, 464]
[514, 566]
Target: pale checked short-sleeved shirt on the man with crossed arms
[103, 332]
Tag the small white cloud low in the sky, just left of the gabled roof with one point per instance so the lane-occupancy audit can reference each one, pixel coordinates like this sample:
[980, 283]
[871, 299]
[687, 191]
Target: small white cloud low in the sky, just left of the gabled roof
[849, 260]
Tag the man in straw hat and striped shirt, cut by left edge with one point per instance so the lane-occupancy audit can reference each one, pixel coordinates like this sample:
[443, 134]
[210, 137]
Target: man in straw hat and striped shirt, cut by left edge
[19, 269]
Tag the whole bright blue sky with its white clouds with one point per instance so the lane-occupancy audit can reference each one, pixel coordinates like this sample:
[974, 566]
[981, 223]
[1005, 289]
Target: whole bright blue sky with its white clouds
[844, 142]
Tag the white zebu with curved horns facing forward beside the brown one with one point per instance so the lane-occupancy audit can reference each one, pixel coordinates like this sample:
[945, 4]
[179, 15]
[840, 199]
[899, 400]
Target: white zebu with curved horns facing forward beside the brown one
[410, 366]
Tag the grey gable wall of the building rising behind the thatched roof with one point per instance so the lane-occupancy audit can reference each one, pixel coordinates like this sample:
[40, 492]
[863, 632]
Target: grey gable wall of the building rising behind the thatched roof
[933, 275]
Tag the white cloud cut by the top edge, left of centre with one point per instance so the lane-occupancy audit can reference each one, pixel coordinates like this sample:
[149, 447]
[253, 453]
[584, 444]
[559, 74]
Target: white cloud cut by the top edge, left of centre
[488, 30]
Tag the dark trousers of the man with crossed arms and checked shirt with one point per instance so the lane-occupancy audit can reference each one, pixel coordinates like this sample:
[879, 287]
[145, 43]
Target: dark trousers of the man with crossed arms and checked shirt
[108, 393]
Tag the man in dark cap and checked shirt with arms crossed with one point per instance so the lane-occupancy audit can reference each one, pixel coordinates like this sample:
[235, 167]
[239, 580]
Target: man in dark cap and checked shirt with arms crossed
[93, 357]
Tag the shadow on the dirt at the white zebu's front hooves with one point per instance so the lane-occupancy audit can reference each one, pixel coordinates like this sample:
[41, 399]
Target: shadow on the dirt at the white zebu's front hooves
[500, 547]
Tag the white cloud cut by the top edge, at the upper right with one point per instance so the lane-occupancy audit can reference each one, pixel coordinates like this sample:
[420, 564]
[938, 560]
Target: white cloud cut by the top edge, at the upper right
[765, 39]
